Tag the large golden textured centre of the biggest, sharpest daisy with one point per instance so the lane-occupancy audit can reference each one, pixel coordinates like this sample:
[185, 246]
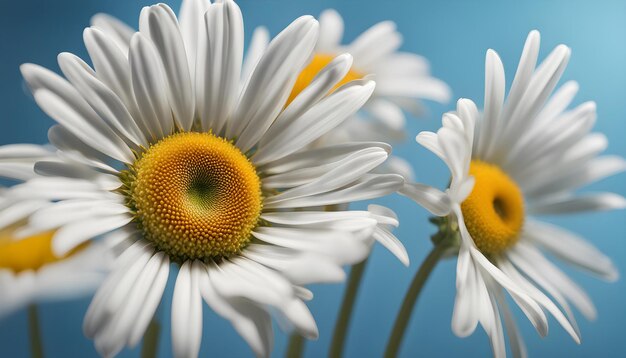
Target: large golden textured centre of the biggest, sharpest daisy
[195, 196]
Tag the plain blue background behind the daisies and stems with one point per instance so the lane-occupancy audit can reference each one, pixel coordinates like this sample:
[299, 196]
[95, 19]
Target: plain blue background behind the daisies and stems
[454, 36]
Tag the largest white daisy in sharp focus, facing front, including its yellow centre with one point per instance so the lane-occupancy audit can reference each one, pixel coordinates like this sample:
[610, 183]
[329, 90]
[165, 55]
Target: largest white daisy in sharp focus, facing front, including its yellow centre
[162, 144]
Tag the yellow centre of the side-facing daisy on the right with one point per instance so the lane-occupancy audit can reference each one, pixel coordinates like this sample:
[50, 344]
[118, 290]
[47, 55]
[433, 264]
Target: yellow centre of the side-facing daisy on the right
[494, 211]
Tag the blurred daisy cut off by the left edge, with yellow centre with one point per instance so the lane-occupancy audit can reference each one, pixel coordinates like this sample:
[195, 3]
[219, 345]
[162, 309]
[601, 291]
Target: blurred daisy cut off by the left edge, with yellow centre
[30, 272]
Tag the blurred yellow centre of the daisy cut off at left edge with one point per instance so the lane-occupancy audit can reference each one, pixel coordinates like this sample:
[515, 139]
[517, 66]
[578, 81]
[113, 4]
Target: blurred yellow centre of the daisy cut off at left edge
[31, 253]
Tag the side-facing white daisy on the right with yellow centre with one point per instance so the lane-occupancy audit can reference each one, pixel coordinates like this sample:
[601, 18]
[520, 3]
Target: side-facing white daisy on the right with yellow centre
[524, 156]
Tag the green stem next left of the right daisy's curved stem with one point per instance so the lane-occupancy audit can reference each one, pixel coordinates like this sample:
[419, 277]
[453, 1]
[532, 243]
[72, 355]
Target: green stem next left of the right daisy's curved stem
[343, 321]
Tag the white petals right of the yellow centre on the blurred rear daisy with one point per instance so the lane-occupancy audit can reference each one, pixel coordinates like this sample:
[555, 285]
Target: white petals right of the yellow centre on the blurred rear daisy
[402, 79]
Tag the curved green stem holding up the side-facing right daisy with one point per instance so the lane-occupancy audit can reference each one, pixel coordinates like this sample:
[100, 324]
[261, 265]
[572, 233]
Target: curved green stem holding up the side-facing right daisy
[404, 315]
